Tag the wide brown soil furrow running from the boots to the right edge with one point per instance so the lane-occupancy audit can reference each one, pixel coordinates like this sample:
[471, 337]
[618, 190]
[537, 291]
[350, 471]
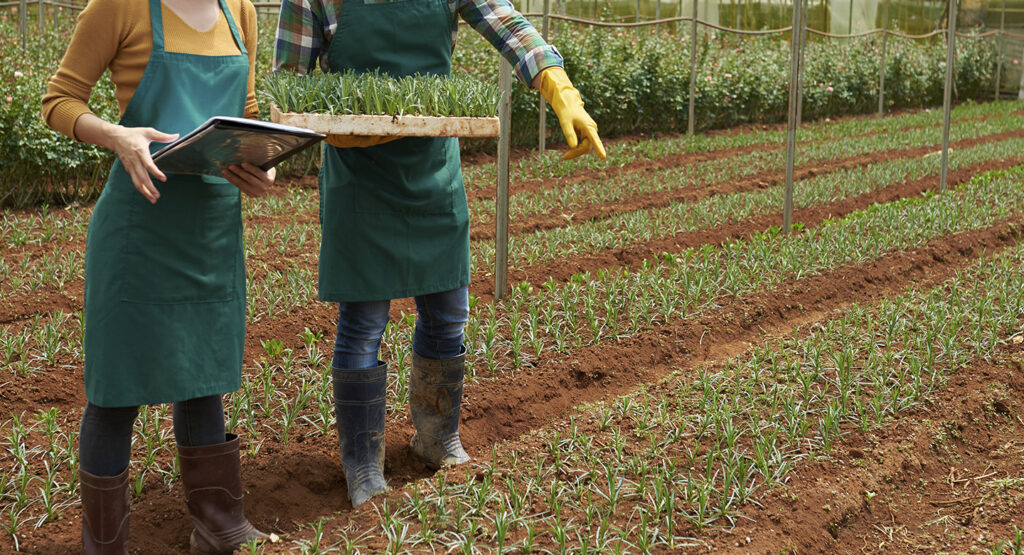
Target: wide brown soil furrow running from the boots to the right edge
[290, 485]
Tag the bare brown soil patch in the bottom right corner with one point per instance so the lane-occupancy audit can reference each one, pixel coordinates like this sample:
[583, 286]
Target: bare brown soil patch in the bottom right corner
[929, 477]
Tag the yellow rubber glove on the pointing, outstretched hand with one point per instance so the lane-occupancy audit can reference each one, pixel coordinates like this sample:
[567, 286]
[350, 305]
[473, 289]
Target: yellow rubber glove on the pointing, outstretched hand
[566, 101]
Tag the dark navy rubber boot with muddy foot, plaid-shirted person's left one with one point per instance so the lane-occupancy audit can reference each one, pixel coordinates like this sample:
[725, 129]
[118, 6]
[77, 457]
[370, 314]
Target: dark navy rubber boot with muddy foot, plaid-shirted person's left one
[360, 408]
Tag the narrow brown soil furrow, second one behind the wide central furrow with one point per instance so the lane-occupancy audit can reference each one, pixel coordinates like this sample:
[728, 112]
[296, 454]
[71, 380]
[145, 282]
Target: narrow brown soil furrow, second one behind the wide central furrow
[539, 223]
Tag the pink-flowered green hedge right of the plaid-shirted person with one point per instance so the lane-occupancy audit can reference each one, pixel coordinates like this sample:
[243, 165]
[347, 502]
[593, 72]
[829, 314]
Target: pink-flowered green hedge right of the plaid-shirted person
[636, 82]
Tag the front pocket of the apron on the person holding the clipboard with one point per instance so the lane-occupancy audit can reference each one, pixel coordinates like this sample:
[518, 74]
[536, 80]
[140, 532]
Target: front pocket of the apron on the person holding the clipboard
[185, 249]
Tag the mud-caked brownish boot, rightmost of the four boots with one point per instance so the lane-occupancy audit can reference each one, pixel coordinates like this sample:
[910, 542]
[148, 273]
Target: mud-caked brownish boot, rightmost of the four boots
[436, 401]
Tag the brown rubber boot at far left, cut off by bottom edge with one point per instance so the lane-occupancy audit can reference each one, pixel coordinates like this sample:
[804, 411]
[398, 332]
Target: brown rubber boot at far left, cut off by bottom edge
[106, 505]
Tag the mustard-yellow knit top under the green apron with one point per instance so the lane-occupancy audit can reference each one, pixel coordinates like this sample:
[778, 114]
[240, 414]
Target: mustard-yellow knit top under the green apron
[117, 34]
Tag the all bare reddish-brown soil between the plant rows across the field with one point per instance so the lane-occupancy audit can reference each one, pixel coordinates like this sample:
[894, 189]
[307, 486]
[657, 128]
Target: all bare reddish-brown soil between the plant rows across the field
[927, 474]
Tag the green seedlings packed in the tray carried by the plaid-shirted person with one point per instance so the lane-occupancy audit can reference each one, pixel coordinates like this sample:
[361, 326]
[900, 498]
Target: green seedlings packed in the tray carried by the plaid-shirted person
[376, 94]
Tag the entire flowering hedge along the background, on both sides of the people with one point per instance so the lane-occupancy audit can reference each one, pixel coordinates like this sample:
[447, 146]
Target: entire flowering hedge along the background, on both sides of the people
[634, 82]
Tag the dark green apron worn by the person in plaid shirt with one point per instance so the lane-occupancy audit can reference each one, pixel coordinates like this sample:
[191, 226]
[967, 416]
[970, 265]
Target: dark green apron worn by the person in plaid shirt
[395, 218]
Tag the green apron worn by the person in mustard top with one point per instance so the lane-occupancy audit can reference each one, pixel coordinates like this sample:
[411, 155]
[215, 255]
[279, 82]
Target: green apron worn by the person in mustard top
[165, 302]
